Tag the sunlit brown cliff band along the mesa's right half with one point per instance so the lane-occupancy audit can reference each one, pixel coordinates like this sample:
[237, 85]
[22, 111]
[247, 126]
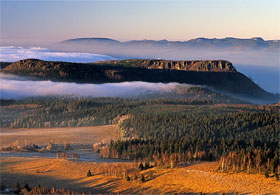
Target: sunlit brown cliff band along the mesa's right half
[194, 65]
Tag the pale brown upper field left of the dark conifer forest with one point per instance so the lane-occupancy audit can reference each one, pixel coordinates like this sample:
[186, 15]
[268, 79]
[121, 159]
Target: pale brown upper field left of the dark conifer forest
[73, 135]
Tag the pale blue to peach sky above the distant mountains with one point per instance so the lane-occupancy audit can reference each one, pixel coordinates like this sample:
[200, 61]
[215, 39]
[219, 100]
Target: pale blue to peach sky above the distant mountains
[51, 21]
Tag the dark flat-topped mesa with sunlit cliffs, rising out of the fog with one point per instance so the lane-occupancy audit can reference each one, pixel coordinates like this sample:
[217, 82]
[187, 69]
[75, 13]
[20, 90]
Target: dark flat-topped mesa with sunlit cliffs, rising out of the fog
[217, 74]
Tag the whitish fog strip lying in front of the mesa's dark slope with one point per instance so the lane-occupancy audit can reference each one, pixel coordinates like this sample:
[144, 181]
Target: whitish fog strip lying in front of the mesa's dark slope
[17, 87]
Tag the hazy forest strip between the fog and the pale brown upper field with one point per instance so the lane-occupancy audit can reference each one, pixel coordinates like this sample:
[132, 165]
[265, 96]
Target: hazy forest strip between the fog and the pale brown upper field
[73, 112]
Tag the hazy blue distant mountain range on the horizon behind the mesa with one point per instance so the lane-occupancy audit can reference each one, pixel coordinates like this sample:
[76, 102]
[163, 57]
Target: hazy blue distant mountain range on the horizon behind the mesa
[252, 51]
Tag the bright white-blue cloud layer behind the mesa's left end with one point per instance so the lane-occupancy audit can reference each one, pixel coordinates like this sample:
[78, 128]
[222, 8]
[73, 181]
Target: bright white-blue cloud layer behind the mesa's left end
[12, 54]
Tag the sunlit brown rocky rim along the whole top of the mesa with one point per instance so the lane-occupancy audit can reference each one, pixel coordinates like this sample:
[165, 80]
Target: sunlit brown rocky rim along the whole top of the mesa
[194, 65]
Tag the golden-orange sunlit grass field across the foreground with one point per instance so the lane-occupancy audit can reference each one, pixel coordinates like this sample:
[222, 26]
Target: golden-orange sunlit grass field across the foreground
[189, 179]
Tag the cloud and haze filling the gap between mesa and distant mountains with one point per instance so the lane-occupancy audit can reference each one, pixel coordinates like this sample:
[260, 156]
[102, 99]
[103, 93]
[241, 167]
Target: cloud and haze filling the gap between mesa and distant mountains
[261, 65]
